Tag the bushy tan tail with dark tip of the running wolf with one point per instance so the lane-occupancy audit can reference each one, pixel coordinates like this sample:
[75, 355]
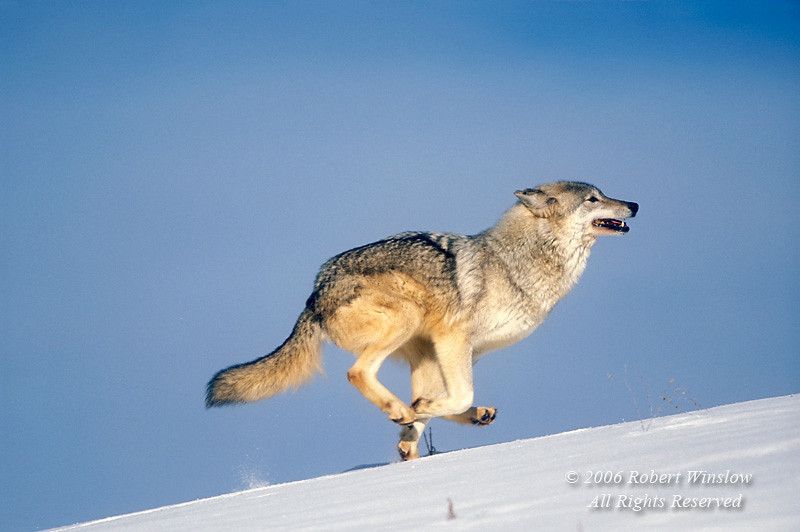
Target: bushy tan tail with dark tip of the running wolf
[290, 365]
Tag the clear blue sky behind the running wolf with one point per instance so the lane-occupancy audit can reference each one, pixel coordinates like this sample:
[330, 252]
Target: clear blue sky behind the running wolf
[173, 175]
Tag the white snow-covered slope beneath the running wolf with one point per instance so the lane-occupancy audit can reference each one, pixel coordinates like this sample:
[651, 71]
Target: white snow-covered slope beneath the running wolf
[524, 484]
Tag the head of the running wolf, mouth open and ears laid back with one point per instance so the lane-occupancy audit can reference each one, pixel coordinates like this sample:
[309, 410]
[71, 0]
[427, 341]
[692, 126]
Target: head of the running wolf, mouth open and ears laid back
[578, 205]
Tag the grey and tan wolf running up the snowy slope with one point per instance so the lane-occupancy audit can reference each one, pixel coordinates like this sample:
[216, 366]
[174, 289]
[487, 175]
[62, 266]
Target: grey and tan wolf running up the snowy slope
[438, 301]
